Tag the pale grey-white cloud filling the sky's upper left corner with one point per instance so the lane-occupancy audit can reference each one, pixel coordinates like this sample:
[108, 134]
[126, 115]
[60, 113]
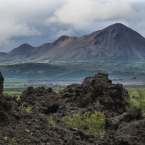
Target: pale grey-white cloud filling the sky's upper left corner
[20, 18]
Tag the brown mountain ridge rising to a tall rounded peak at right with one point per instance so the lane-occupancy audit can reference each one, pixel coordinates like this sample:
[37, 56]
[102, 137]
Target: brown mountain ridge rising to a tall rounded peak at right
[115, 42]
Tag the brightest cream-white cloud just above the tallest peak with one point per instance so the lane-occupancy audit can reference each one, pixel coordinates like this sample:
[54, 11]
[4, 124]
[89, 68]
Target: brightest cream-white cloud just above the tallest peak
[78, 12]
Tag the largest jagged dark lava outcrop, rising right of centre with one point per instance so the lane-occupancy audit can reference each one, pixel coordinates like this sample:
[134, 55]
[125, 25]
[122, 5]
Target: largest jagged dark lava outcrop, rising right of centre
[97, 93]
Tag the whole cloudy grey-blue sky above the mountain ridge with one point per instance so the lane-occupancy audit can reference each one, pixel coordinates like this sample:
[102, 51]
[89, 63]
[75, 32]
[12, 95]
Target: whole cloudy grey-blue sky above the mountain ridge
[41, 21]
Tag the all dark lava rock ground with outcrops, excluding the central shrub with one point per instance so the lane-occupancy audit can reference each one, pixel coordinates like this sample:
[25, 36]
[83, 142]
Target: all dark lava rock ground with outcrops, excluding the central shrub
[37, 117]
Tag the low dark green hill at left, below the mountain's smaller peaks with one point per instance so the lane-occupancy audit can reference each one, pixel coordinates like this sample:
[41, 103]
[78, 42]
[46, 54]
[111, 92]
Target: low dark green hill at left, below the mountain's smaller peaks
[31, 70]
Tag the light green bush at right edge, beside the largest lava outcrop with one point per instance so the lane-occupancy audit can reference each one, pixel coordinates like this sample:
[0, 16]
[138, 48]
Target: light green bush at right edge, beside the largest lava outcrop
[137, 98]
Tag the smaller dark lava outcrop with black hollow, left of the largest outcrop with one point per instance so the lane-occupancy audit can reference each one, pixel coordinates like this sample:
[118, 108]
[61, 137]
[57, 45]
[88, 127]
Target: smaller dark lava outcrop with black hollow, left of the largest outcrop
[41, 100]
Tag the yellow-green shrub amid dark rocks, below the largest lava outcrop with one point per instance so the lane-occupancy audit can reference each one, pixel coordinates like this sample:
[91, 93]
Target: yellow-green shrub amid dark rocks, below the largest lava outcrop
[92, 123]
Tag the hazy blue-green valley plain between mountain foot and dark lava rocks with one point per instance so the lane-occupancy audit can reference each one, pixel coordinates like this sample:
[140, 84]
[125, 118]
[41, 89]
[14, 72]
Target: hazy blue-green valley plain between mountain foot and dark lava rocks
[20, 76]
